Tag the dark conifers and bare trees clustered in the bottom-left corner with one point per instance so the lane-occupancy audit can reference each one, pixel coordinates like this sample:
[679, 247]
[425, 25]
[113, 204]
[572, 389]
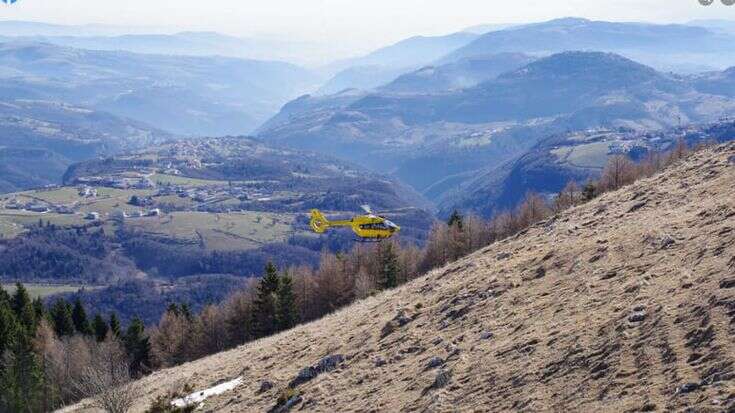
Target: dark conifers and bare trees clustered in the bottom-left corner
[55, 355]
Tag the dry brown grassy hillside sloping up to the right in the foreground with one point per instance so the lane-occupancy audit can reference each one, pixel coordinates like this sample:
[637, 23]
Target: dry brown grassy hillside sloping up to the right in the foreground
[624, 304]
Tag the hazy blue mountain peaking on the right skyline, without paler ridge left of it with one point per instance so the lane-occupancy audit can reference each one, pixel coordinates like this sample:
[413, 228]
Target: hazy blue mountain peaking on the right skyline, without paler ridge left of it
[664, 46]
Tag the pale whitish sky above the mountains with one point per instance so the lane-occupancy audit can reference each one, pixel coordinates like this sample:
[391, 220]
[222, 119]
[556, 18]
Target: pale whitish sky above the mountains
[363, 24]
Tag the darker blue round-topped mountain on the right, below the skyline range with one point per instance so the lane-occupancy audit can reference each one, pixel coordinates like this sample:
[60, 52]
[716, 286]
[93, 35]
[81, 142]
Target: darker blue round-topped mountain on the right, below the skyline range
[437, 141]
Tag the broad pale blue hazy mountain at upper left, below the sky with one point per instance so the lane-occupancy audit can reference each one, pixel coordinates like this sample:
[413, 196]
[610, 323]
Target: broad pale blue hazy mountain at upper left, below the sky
[185, 95]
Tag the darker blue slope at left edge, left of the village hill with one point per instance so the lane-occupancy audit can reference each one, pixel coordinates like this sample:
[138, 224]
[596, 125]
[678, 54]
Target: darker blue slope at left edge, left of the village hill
[39, 140]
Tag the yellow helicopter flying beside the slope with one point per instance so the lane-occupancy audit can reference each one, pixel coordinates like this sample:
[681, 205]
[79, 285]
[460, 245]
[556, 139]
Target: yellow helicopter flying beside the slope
[369, 227]
